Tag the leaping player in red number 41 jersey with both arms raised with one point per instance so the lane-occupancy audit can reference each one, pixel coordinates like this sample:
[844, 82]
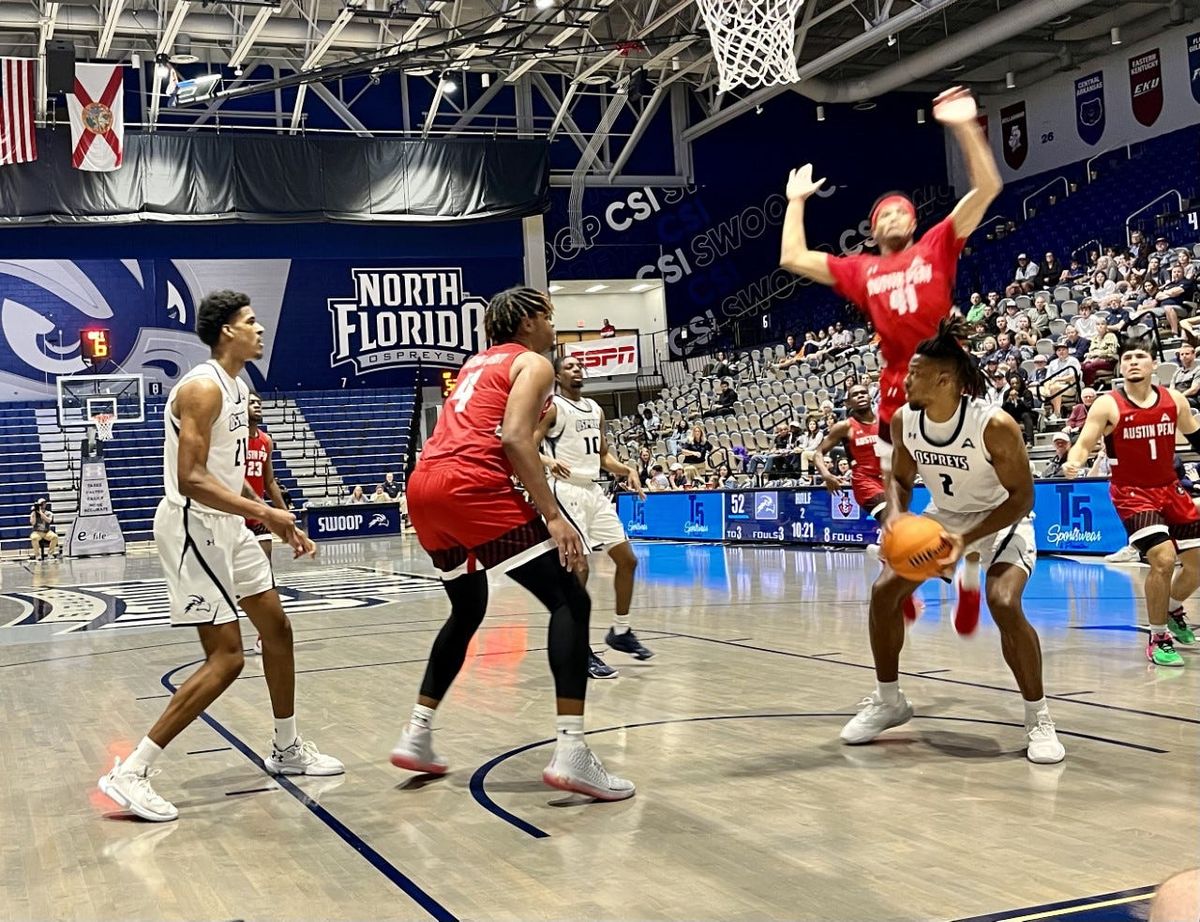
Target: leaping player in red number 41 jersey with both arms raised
[907, 291]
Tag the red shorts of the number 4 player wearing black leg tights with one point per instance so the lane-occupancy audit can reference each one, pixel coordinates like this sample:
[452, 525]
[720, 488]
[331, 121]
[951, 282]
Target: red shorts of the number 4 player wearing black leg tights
[465, 522]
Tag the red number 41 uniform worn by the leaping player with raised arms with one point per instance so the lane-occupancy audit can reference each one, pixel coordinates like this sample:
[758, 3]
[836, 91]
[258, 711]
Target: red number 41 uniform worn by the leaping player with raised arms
[907, 296]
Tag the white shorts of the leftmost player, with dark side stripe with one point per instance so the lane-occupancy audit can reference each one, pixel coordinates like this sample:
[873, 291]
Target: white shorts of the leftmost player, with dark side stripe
[211, 564]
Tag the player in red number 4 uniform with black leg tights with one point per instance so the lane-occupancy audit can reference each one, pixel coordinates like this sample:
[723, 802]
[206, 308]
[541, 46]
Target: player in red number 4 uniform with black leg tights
[470, 518]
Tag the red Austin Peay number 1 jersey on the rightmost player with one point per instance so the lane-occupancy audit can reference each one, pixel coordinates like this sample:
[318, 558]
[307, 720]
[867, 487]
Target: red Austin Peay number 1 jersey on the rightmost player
[1142, 445]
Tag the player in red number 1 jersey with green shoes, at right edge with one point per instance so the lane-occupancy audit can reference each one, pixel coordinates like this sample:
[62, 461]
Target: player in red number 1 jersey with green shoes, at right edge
[1139, 424]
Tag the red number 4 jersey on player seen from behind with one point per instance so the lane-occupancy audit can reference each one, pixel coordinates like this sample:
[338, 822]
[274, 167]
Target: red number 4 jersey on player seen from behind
[469, 432]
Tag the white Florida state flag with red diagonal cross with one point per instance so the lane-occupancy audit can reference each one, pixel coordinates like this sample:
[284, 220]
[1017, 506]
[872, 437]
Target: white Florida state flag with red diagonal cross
[98, 117]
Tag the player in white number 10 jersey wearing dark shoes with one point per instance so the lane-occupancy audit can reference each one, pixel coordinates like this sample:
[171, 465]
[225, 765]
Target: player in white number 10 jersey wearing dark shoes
[574, 450]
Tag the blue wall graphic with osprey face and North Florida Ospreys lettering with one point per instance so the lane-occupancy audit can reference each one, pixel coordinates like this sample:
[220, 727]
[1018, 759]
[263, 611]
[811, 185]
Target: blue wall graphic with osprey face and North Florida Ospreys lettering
[329, 324]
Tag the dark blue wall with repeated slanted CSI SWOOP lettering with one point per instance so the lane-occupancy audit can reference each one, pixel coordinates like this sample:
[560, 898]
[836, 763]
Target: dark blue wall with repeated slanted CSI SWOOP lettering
[716, 244]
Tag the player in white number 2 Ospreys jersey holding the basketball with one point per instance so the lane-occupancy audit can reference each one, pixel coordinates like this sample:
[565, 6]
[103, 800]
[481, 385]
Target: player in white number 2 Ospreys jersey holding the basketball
[973, 459]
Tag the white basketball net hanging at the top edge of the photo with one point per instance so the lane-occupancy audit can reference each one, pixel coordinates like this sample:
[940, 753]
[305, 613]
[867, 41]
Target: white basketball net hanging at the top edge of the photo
[754, 41]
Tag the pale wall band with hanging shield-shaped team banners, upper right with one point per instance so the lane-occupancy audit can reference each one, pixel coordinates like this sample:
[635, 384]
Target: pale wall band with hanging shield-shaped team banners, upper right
[1137, 93]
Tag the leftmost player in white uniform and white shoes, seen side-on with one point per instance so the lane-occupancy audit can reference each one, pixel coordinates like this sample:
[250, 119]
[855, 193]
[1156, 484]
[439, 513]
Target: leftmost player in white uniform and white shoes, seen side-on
[213, 561]
